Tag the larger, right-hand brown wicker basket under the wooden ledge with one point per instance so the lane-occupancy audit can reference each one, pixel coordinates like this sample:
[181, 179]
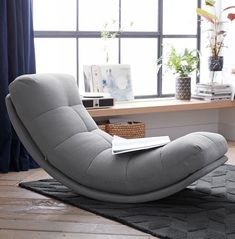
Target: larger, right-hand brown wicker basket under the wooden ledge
[129, 130]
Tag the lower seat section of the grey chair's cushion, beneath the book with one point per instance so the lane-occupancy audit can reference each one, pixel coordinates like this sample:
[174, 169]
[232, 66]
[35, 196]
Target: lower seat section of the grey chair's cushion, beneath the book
[138, 172]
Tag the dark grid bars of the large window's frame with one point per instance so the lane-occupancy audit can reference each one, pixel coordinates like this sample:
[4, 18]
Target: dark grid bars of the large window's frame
[77, 34]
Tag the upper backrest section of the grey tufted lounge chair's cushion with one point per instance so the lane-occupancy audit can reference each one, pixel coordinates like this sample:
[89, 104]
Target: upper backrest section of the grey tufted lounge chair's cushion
[50, 108]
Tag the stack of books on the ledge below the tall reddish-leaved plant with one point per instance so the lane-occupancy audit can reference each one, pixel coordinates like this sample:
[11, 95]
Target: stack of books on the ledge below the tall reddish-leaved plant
[213, 92]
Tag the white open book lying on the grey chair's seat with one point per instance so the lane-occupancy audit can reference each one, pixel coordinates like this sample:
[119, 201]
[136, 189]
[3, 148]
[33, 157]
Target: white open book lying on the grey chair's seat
[121, 145]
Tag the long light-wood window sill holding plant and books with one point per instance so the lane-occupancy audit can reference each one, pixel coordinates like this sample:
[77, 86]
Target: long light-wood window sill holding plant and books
[156, 105]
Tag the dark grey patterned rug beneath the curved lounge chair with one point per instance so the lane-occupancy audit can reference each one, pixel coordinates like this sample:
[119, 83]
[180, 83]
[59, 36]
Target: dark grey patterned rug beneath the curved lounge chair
[205, 209]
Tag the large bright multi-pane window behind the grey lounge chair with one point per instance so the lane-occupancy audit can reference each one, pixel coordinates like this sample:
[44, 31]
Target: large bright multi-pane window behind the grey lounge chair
[68, 36]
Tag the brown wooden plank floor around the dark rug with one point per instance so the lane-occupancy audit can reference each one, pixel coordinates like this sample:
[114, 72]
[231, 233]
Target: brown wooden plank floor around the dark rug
[28, 215]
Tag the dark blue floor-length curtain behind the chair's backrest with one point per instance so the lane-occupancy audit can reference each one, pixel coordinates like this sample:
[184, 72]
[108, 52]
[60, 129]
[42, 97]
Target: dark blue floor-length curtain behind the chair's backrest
[17, 57]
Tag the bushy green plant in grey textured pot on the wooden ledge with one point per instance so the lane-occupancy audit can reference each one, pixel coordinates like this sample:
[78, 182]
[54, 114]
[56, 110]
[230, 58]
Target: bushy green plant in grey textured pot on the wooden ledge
[183, 65]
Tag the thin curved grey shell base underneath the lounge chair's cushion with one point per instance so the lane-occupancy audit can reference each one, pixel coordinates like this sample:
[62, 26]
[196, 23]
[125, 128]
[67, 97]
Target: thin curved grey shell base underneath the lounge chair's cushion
[104, 196]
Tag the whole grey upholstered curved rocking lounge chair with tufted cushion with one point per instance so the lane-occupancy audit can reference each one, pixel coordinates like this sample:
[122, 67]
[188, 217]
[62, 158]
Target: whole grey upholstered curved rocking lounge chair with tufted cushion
[59, 133]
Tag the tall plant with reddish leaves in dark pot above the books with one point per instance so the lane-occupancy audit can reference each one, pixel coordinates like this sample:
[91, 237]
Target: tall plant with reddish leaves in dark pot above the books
[216, 31]
